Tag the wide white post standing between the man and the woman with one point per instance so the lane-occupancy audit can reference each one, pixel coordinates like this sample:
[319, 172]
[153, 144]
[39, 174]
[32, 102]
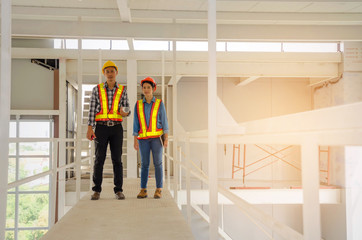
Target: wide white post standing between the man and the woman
[132, 97]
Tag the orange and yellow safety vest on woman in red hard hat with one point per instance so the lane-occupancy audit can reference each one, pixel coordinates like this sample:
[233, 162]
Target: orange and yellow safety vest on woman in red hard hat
[151, 131]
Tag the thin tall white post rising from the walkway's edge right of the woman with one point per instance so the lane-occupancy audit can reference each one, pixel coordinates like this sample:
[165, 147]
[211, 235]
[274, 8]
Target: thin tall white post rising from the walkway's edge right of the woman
[174, 122]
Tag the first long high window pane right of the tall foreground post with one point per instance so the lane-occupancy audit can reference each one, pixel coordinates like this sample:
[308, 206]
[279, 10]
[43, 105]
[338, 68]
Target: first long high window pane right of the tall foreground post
[253, 47]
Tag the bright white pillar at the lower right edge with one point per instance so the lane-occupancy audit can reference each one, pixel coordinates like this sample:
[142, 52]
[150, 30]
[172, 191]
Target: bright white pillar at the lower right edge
[353, 156]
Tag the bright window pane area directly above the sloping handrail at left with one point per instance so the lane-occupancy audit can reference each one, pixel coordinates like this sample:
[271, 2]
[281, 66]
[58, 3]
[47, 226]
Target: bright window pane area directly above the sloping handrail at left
[31, 166]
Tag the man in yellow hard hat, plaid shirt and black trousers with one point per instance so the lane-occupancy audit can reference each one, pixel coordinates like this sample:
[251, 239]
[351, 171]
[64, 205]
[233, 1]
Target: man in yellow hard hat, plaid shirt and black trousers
[108, 106]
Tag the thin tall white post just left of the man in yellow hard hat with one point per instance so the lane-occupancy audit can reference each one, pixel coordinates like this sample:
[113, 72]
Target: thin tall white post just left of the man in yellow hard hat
[79, 121]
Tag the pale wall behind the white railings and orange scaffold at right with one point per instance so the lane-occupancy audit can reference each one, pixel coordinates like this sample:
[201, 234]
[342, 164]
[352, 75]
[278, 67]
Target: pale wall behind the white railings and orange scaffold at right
[260, 99]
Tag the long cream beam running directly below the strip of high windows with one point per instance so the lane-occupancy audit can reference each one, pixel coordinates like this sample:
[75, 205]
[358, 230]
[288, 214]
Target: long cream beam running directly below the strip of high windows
[250, 57]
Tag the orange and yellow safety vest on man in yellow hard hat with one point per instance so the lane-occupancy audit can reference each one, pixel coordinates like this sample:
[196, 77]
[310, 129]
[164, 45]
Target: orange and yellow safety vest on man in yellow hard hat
[113, 114]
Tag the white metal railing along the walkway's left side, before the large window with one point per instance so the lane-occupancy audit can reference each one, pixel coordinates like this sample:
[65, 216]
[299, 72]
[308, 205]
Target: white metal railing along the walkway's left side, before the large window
[54, 170]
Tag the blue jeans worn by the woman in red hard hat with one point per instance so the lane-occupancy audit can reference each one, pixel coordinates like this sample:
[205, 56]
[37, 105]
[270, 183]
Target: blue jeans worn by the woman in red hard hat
[146, 146]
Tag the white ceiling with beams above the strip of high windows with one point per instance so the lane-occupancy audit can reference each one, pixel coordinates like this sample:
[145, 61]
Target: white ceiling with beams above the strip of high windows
[320, 20]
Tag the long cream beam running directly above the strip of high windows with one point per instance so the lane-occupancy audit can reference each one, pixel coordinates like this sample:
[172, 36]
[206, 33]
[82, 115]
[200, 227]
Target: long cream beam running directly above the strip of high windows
[66, 29]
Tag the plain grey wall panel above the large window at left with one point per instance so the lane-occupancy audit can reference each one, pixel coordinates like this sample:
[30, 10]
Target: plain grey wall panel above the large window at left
[31, 86]
